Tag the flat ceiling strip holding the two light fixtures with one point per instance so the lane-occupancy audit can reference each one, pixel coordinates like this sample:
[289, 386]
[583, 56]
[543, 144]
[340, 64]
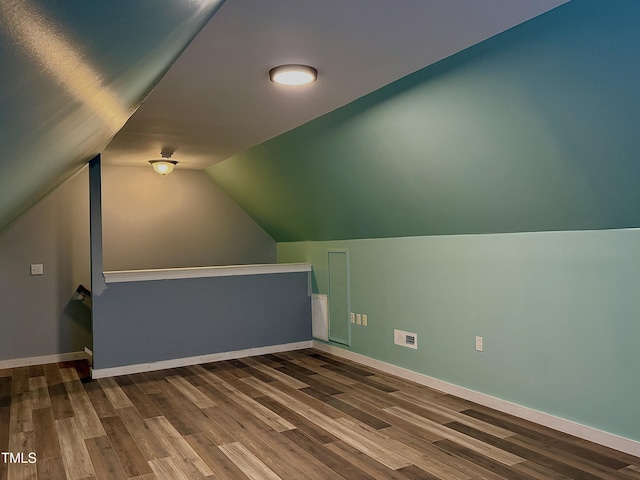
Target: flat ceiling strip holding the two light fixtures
[216, 100]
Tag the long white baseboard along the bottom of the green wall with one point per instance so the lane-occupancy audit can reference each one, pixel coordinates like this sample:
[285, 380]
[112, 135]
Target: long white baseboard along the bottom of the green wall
[600, 437]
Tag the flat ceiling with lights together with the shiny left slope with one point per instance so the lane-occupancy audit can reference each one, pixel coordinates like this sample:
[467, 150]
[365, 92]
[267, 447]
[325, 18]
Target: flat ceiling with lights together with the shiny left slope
[74, 72]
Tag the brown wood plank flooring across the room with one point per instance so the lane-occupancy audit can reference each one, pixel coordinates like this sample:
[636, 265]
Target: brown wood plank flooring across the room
[295, 415]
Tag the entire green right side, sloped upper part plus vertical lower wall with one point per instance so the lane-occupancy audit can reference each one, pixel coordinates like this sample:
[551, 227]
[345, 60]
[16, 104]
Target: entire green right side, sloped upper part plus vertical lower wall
[425, 182]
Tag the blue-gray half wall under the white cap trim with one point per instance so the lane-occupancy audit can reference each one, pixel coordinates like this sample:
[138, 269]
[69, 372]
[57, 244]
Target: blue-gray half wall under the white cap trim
[142, 322]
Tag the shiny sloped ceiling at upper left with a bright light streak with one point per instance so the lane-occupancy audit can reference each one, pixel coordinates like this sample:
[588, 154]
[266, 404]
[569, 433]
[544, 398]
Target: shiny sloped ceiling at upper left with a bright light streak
[72, 72]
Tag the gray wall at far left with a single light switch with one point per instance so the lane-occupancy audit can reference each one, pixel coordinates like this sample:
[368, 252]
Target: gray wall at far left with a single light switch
[38, 315]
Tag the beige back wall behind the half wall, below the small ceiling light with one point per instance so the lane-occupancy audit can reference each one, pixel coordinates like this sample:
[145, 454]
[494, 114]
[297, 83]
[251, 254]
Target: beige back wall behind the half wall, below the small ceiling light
[180, 220]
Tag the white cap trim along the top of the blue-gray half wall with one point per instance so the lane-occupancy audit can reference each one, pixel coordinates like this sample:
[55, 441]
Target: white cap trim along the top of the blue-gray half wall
[121, 276]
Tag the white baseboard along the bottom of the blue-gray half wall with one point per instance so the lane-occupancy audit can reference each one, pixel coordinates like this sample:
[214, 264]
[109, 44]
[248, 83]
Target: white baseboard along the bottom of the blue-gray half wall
[183, 362]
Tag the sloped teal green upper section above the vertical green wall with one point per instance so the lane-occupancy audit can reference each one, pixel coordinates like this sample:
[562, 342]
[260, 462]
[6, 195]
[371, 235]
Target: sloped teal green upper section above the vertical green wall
[532, 130]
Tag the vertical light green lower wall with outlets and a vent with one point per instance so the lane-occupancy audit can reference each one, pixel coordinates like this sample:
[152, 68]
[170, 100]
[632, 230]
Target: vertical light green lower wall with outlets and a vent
[558, 312]
